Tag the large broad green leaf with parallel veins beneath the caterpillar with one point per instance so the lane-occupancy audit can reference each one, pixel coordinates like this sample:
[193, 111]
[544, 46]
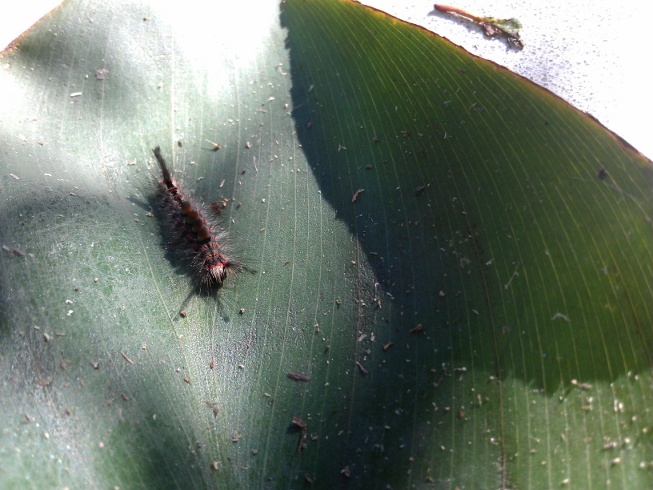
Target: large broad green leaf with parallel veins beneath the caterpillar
[478, 317]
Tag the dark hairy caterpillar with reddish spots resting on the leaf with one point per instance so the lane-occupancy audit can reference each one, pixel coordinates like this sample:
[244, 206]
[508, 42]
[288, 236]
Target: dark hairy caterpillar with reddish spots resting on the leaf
[191, 235]
